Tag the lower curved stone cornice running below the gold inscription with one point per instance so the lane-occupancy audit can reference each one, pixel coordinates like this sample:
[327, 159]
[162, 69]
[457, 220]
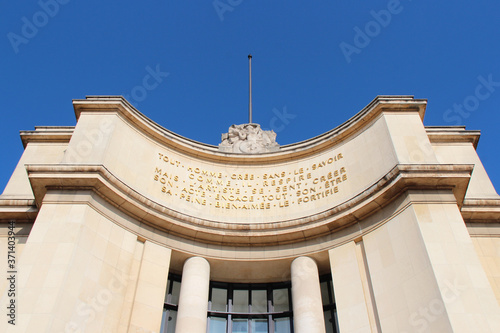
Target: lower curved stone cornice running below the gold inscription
[97, 178]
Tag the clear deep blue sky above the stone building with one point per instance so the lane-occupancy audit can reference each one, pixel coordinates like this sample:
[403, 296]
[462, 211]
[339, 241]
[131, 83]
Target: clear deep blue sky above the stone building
[320, 61]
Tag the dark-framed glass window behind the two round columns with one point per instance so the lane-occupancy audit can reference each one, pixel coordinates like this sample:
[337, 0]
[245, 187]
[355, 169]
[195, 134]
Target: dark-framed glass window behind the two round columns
[248, 308]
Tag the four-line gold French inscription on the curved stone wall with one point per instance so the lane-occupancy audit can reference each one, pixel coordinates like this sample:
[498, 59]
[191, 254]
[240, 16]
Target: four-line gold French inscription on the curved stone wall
[271, 188]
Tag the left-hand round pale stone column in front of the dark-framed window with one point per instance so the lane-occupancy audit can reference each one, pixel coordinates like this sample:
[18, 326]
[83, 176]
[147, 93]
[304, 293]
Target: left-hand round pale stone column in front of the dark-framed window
[193, 298]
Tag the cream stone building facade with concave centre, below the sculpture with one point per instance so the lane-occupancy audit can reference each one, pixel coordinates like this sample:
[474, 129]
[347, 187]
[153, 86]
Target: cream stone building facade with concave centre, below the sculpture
[379, 225]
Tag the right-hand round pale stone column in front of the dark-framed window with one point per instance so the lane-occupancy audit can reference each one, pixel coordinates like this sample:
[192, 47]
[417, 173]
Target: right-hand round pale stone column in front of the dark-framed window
[306, 297]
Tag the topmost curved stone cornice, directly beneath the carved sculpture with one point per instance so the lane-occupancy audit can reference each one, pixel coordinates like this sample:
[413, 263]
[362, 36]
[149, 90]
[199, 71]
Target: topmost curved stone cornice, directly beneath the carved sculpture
[120, 106]
